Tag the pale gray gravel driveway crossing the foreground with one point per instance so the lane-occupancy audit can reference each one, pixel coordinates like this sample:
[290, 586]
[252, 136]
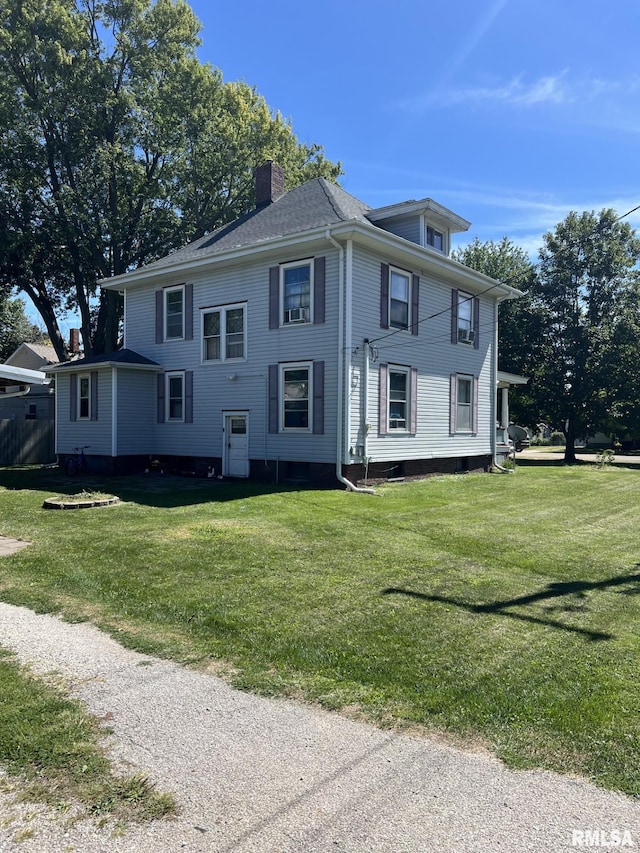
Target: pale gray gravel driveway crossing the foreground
[255, 774]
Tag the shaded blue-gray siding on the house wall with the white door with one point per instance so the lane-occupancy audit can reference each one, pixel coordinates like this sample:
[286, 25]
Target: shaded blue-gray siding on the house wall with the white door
[213, 392]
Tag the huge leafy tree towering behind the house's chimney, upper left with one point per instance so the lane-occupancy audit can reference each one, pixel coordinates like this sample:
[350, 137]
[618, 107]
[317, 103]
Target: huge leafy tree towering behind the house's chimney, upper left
[117, 145]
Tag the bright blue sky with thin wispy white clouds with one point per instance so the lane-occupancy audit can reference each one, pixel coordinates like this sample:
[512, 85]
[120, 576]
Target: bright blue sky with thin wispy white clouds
[509, 112]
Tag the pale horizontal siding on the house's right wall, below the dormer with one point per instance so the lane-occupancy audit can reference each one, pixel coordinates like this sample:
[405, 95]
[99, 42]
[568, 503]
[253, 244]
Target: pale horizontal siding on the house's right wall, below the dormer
[435, 358]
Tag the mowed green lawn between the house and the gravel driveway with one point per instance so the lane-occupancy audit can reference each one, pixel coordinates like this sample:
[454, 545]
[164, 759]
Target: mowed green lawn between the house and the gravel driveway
[502, 610]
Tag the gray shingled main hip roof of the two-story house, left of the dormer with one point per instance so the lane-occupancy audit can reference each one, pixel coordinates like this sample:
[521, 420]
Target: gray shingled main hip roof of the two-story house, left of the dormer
[312, 205]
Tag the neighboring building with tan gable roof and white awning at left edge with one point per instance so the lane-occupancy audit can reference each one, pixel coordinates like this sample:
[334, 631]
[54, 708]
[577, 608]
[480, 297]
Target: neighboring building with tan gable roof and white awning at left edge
[31, 399]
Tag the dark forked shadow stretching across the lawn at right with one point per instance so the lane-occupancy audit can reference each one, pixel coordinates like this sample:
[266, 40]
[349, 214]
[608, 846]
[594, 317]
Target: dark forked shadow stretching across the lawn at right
[550, 592]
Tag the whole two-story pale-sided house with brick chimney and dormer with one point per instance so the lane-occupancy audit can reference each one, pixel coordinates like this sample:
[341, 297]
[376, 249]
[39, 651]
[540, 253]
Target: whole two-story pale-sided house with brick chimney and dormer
[313, 338]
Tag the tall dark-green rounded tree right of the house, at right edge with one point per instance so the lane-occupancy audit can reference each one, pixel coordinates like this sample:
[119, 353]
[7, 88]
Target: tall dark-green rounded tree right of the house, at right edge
[588, 286]
